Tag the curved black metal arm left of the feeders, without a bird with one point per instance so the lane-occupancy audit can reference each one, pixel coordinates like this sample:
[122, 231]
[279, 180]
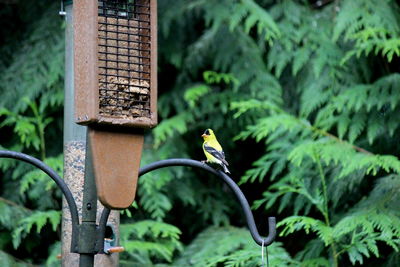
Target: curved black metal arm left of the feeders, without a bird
[56, 178]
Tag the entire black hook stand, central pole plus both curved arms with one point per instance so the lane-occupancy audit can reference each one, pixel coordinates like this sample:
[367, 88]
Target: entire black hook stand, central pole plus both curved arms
[96, 241]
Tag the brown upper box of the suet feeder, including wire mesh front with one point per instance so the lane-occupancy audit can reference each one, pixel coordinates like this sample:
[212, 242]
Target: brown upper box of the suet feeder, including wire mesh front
[122, 88]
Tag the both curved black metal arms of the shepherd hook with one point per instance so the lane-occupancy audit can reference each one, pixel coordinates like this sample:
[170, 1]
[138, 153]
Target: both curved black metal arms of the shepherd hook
[100, 232]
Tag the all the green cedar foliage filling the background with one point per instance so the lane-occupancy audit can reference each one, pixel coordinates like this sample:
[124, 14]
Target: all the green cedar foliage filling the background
[304, 99]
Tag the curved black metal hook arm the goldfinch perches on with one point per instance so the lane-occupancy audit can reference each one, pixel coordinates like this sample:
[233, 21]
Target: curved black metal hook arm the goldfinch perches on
[233, 186]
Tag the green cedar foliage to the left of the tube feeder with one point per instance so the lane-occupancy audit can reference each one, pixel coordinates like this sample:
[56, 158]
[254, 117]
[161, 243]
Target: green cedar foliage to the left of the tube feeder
[31, 71]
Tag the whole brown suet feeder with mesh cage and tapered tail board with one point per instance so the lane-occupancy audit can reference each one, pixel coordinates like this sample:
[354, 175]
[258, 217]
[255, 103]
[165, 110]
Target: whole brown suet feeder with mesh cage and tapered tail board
[115, 66]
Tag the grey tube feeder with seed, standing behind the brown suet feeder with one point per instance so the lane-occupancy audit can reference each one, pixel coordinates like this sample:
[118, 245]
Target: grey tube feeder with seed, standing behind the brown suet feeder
[74, 165]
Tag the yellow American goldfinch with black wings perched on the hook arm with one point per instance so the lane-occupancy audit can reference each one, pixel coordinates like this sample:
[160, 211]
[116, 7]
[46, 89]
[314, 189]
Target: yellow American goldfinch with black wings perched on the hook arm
[213, 150]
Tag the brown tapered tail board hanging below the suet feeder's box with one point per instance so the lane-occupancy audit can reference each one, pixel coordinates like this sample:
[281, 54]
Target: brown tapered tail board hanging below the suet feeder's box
[116, 160]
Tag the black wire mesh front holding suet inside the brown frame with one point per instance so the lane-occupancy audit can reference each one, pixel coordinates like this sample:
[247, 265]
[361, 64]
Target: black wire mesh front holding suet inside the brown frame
[124, 59]
